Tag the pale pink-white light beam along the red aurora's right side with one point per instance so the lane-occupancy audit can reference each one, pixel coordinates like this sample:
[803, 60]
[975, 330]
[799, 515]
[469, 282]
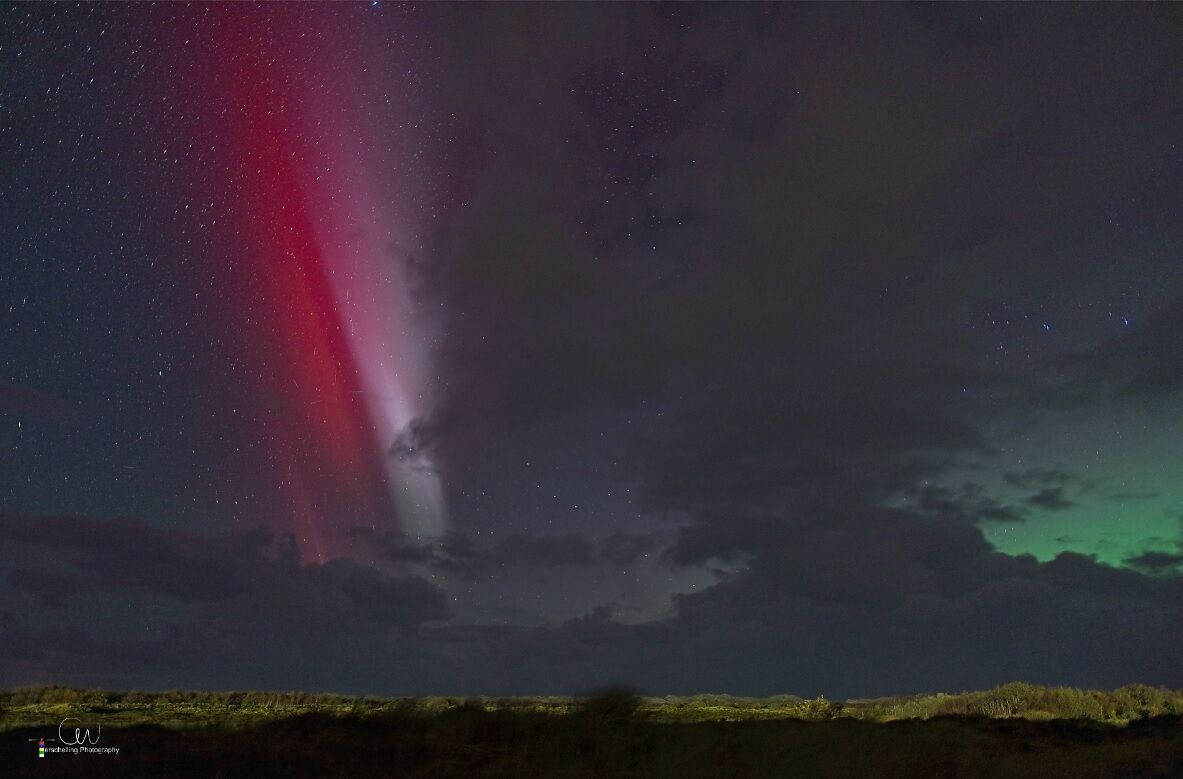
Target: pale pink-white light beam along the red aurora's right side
[360, 183]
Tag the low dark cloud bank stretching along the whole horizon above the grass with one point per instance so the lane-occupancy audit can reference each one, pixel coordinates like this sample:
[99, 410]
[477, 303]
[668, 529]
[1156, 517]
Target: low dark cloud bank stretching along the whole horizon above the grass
[848, 604]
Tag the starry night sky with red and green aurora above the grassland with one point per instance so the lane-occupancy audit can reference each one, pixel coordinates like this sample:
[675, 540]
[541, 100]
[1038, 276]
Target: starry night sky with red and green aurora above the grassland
[531, 349]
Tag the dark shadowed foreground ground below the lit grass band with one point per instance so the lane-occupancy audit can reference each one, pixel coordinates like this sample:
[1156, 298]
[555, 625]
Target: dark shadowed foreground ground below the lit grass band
[469, 742]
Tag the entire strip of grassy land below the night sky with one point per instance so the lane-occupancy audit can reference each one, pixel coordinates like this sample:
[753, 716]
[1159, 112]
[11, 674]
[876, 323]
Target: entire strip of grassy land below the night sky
[1013, 731]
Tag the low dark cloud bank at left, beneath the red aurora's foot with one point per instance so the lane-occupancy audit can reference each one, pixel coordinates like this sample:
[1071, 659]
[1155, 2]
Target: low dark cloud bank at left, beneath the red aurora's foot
[212, 572]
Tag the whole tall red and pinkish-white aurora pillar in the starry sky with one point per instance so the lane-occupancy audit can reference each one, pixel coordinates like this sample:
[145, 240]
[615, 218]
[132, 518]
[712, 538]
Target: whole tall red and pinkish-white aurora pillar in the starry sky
[326, 230]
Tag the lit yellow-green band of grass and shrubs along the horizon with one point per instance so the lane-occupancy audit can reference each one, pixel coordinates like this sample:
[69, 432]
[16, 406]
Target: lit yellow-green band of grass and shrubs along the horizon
[28, 706]
